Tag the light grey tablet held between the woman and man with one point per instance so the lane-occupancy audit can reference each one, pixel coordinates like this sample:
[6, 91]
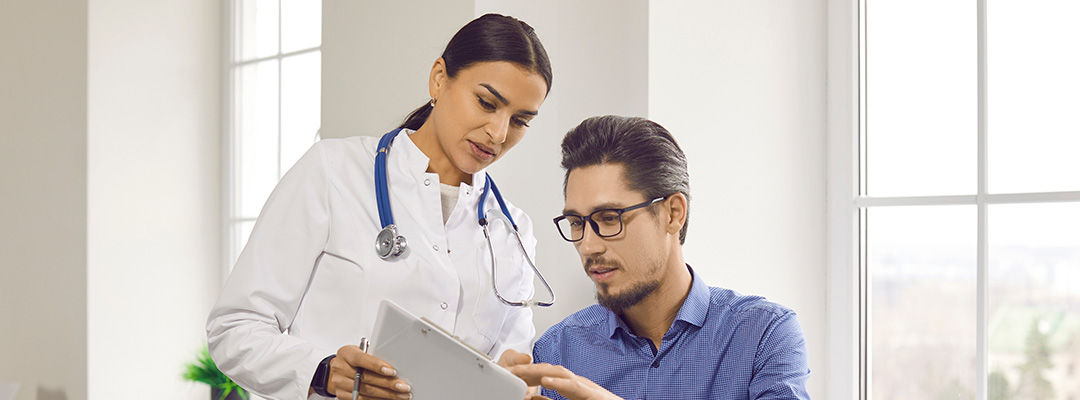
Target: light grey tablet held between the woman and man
[436, 364]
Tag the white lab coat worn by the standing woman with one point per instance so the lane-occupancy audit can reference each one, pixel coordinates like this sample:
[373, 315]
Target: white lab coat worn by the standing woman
[310, 268]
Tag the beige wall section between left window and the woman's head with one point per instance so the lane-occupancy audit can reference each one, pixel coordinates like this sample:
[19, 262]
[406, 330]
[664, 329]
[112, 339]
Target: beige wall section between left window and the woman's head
[376, 59]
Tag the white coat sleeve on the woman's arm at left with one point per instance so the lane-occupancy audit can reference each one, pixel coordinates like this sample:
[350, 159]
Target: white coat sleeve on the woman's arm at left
[264, 291]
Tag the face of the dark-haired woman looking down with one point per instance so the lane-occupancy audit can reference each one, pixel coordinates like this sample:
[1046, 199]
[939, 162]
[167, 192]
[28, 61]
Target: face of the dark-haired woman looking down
[484, 112]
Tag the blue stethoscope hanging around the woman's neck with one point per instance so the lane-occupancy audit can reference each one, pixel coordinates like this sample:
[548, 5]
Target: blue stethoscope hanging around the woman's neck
[389, 244]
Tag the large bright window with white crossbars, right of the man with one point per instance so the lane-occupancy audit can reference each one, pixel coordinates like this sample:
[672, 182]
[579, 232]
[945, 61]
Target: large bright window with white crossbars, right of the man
[966, 203]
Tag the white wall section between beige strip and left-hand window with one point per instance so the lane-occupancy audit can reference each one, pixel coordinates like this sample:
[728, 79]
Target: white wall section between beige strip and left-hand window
[154, 202]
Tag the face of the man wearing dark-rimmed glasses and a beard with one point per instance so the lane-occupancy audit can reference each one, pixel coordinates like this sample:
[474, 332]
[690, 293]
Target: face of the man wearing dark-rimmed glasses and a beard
[629, 266]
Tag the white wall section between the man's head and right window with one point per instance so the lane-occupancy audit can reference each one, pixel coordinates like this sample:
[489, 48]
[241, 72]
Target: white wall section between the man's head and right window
[741, 85]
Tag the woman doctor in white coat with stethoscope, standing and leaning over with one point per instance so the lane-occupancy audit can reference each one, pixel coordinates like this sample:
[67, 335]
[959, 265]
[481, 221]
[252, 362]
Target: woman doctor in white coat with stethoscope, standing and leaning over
[308, 285]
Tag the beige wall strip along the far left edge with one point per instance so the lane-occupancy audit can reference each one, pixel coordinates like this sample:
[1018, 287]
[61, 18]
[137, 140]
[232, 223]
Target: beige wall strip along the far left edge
[44, 198]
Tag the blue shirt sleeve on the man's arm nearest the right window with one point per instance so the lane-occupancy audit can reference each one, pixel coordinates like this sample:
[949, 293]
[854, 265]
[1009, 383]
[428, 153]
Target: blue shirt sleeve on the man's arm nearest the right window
[780, 367]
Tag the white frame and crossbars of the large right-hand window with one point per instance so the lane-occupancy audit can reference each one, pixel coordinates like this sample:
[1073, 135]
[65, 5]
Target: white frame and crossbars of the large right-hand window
[847, 301]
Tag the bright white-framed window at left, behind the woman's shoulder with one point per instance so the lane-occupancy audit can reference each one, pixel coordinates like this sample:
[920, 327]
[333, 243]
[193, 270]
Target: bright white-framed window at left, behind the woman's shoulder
[274, 114]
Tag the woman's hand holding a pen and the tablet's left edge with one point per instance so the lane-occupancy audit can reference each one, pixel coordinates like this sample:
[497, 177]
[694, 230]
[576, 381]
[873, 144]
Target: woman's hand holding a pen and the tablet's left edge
[377, 377]
